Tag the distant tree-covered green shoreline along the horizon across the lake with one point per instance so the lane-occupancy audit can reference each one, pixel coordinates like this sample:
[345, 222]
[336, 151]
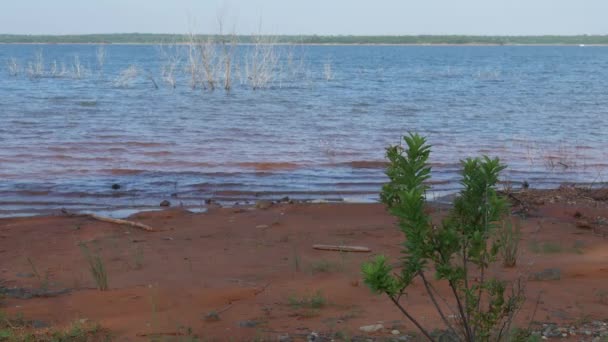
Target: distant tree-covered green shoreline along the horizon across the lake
[419, 40]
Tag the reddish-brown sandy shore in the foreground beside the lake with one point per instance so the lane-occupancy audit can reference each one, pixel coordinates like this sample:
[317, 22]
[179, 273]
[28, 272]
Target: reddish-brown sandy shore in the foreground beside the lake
[252, 266]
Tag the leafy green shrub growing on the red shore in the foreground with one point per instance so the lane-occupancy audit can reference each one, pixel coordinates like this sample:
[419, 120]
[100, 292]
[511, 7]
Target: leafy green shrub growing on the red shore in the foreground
[459, 250]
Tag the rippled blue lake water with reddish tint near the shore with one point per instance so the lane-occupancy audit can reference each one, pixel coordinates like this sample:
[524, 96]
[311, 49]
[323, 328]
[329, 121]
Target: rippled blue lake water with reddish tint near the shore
[316, 130]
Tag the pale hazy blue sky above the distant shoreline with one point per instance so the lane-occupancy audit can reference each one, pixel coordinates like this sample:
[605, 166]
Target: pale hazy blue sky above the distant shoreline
[323, 17]
